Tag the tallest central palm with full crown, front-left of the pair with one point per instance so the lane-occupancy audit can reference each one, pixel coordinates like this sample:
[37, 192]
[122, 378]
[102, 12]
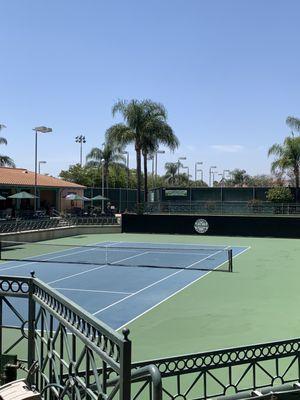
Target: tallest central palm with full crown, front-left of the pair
[139, 117]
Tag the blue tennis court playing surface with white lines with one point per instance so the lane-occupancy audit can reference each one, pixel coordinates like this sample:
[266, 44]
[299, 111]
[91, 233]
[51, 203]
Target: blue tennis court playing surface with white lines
[125, 287]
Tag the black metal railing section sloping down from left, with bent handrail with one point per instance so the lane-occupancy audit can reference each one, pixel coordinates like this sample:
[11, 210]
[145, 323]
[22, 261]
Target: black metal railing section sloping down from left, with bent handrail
[74, 351]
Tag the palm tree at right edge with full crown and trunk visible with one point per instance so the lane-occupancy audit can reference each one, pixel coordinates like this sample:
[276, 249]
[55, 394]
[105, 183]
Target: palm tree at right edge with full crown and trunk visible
[287, 157]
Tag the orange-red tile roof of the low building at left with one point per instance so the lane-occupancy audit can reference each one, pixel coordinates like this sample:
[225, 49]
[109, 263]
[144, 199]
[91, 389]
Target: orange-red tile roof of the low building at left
[23, 177]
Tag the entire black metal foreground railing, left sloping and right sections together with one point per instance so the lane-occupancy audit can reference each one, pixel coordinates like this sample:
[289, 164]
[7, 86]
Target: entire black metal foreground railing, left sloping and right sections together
[79, 356]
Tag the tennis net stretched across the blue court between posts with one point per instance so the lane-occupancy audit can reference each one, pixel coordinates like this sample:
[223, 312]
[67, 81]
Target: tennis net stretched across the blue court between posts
[189, 257]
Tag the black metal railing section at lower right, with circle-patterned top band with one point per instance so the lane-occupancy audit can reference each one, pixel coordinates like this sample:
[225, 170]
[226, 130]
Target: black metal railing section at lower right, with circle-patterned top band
[229, 371]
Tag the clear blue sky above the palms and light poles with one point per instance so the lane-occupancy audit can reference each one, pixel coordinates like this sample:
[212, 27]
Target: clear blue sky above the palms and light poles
[226, 70]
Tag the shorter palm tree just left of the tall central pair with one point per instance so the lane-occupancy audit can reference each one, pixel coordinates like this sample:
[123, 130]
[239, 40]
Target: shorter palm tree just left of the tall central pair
[110, 154]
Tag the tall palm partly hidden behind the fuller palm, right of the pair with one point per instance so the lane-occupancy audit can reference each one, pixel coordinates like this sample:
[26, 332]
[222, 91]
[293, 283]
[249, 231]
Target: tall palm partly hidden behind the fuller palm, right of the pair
[156, 132]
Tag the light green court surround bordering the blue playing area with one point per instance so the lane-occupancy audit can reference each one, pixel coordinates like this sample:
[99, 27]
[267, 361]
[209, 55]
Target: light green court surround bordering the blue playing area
[258, 302]
